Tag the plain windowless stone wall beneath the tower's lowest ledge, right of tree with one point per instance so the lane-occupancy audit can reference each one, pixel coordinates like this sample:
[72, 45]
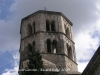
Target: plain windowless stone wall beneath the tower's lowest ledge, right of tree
[61, 61]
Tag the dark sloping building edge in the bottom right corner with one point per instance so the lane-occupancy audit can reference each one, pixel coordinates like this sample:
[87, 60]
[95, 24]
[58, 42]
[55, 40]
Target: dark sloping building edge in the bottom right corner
[93, 67]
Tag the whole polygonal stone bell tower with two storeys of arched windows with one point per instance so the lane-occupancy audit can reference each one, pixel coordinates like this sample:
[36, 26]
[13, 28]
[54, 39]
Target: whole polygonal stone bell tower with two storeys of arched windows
[51, 33]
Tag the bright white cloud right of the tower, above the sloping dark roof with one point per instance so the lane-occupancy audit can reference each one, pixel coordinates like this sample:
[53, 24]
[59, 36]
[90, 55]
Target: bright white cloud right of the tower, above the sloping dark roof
[87, 40]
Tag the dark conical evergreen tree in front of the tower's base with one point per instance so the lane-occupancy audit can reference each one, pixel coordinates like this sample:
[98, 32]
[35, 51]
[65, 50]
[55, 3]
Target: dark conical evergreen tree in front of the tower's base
[35, 63]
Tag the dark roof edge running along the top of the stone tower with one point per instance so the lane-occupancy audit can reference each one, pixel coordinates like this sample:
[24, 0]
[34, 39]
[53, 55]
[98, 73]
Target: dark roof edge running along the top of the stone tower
[49, 12]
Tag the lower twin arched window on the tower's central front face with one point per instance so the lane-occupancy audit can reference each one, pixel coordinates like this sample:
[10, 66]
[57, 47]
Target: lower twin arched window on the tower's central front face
[51, 46]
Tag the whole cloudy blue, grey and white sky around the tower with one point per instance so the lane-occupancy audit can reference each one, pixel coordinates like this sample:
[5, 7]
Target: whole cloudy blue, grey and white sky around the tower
[84, 14]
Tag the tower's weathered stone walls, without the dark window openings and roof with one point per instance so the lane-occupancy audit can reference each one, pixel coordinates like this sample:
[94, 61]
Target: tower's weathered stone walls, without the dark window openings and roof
[61, 59]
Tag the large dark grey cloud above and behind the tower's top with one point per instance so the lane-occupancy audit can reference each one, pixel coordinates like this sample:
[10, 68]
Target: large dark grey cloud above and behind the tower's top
[79, 12]
